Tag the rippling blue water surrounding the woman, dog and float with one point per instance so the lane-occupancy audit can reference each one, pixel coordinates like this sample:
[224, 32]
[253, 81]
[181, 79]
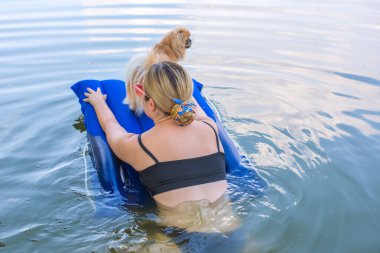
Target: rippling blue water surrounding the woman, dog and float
[297, 82]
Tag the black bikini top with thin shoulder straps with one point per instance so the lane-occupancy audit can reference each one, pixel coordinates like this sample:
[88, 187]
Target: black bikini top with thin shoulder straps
[170, 175]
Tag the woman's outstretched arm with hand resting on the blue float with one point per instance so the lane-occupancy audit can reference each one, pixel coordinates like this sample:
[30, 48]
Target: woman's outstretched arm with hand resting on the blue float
[118, 138]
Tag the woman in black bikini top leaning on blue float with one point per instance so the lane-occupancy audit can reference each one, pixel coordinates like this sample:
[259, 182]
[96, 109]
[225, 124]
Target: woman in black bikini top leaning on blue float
[180, 160]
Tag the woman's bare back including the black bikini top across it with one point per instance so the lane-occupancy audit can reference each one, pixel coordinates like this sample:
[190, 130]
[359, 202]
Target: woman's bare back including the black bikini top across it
[181, 164]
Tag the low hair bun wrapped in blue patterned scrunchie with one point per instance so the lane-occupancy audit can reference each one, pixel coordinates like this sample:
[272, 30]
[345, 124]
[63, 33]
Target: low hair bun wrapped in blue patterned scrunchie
[183, 112]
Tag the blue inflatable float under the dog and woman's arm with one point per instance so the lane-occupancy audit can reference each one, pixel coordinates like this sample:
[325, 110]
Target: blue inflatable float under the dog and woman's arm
[117, 177]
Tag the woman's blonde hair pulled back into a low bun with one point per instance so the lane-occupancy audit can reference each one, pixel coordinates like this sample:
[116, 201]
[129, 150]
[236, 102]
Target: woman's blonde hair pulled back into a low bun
[165, 81]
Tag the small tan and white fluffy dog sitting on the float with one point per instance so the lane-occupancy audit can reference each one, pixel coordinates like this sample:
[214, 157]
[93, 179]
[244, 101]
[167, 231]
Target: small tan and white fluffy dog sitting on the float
[171, 48]
